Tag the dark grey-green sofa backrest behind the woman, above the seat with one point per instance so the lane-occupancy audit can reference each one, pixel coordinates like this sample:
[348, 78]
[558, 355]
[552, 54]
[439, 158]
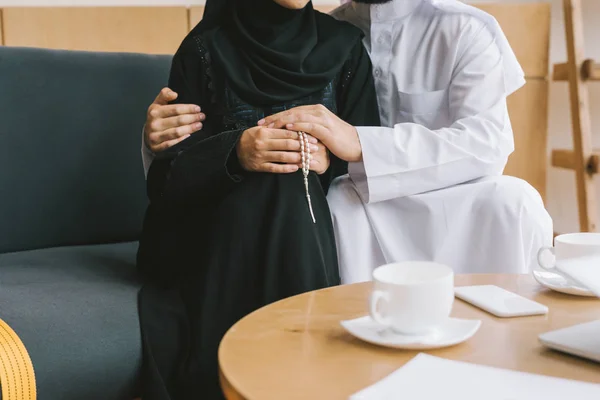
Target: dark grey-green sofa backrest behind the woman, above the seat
[70, 135]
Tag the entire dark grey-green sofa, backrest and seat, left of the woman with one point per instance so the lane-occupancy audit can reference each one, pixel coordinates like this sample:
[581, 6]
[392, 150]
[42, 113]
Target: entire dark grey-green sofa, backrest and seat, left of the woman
[72, 200]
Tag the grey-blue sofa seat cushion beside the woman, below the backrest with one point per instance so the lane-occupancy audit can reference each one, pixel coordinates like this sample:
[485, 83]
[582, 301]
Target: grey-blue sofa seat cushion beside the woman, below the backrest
[75, 309]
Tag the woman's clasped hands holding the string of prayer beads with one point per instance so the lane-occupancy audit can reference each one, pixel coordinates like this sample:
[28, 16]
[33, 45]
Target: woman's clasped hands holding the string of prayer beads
[276, 151]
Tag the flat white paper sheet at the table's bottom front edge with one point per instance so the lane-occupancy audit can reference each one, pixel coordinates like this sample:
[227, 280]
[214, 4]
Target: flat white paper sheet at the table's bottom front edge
[427, 377]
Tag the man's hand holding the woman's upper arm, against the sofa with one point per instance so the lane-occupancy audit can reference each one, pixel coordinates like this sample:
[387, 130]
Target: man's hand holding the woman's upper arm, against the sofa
[168, 124]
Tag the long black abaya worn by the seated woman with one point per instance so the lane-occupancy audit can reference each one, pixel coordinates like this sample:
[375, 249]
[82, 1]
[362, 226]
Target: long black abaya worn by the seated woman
[219, 242]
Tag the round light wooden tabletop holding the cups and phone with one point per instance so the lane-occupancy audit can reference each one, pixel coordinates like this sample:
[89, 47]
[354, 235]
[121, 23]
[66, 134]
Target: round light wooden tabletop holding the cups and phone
[296, 348]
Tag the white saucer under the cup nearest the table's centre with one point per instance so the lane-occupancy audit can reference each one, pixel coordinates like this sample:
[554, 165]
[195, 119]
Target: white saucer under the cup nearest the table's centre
[454, 331]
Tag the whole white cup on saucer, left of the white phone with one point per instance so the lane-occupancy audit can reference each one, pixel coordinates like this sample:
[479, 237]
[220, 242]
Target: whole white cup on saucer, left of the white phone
[412, 298]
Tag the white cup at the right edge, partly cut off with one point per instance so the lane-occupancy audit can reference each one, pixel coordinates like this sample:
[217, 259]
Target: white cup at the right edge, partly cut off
[568, 248]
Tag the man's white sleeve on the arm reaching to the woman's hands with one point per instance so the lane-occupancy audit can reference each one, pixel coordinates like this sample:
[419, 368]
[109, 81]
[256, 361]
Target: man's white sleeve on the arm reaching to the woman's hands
[409, 158]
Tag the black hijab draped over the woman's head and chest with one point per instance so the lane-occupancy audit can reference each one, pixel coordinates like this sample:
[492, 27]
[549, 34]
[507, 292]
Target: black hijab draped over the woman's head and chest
[270, 54]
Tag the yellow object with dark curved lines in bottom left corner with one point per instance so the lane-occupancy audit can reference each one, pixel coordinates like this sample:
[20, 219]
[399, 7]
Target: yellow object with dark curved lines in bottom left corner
[17, 377]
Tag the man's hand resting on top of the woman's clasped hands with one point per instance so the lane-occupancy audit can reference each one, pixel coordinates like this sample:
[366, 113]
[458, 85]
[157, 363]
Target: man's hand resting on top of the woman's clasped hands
[338, 136]
